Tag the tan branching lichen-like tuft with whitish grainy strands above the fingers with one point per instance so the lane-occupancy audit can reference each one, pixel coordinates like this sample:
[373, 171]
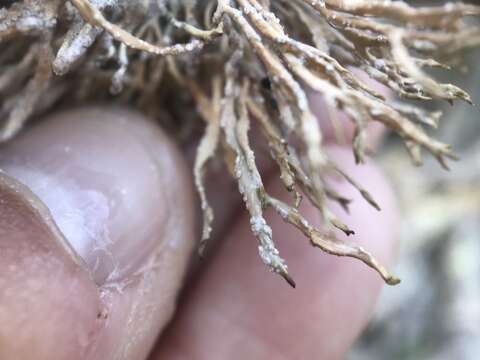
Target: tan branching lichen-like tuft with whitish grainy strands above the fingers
[241, 61]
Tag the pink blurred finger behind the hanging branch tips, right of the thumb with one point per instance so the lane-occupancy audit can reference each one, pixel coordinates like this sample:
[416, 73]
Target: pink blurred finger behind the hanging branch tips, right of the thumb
[237, 301]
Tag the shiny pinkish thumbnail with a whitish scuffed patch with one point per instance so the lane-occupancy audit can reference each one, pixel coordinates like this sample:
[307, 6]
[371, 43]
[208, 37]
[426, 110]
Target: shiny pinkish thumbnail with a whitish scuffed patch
[104, 176]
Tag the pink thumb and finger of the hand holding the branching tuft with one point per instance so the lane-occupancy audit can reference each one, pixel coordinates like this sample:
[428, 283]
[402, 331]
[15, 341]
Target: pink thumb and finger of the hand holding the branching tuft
[61, 298]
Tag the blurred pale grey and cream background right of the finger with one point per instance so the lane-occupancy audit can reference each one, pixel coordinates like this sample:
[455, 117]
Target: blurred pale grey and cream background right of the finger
[435, 312]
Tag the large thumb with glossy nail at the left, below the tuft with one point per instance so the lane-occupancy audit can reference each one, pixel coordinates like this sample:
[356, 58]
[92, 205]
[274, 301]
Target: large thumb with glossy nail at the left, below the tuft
[96, 230]
